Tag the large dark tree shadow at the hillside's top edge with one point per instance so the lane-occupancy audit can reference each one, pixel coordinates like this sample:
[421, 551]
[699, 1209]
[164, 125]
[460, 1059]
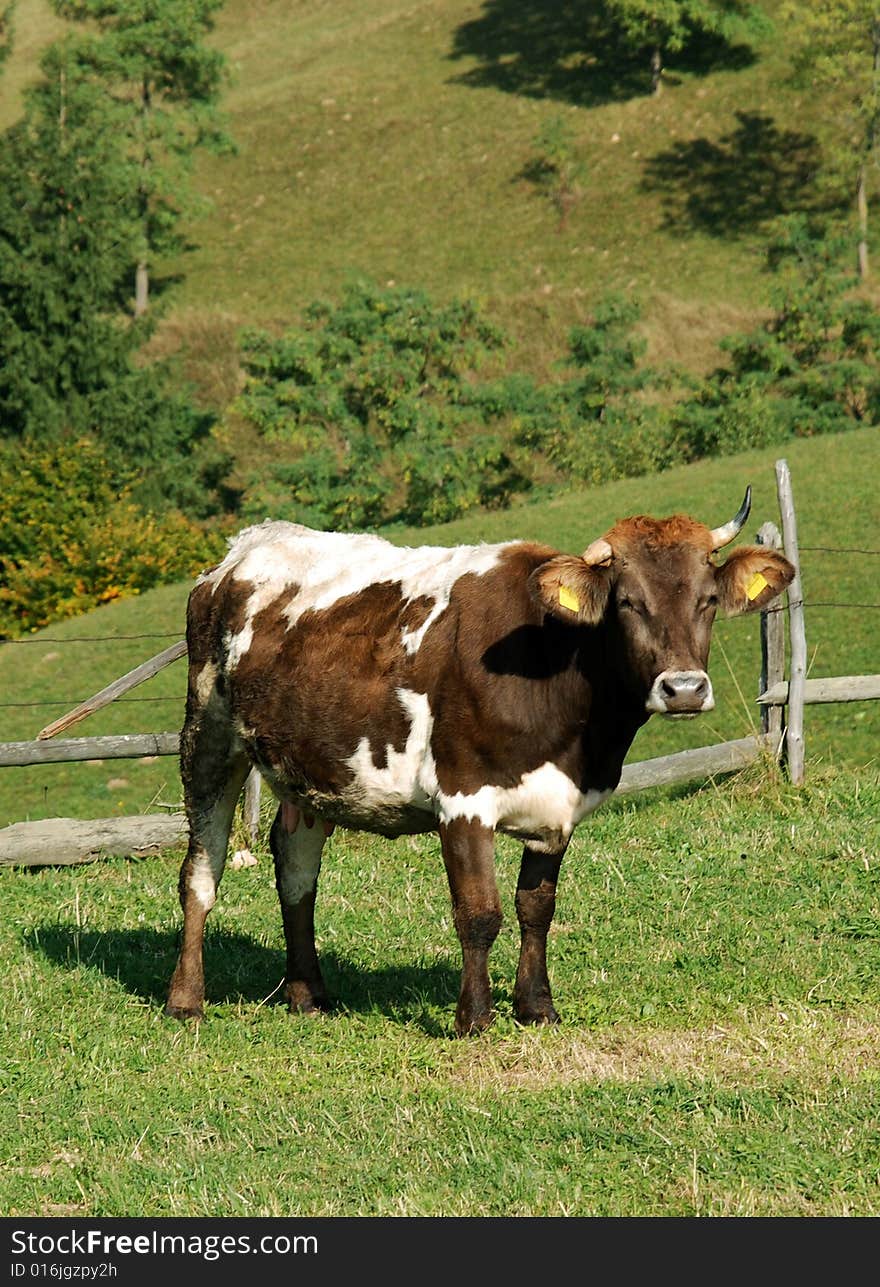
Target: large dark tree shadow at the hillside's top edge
[572, 52]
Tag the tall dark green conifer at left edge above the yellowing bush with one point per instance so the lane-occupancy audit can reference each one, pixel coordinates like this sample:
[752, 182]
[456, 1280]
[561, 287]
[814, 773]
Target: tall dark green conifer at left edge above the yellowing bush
[65, 248]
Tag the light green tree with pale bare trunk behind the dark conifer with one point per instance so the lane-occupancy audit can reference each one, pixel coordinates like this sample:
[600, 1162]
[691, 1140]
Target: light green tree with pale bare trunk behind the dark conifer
[164, 83]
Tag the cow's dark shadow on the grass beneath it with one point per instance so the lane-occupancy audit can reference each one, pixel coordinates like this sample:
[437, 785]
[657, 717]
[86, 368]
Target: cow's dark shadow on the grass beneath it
[239, 970]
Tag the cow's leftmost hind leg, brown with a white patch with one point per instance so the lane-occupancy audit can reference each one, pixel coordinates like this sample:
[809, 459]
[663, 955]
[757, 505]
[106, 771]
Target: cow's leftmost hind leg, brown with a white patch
[214, 769]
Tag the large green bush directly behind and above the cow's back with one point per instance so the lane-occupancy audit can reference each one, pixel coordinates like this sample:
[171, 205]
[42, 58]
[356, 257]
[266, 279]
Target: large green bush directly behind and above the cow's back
[375, 416]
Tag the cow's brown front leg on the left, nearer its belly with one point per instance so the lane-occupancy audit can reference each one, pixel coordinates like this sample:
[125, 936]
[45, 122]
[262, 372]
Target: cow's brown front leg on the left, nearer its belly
[469, 851]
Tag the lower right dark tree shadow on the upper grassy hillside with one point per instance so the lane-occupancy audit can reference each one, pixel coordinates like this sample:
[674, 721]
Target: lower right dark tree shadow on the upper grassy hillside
[738, 185]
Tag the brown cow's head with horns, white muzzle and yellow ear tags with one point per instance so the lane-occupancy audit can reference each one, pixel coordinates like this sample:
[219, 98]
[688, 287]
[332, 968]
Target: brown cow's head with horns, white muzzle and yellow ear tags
[655, 588]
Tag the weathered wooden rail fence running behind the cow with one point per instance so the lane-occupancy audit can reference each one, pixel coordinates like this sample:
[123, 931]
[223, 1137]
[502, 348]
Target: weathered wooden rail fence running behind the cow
[64, 841]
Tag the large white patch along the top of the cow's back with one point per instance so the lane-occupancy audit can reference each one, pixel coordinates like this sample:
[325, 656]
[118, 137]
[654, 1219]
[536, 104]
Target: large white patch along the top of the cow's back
[326, 567]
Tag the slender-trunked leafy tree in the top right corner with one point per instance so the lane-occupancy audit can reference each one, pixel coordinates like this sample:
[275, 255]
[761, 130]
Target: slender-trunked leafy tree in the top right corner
[842, 50]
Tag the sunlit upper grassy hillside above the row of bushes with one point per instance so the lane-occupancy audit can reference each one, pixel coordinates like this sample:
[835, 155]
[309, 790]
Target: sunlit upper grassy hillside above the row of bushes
[396, 141]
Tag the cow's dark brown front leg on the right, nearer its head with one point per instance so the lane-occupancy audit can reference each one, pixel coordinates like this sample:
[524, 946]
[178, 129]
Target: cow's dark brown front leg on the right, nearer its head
[536, 904]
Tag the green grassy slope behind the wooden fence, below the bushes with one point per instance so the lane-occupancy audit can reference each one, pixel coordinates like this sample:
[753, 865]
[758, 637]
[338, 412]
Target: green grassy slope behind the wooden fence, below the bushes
[836, 497]
